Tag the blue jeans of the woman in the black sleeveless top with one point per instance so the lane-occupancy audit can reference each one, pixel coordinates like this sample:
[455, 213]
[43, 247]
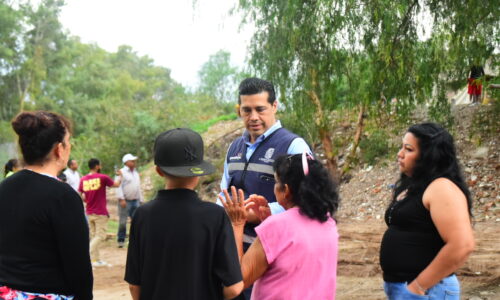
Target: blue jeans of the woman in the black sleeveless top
[446, 289]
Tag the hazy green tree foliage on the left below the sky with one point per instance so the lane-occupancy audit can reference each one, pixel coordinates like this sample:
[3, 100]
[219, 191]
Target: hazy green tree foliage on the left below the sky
[118, 102]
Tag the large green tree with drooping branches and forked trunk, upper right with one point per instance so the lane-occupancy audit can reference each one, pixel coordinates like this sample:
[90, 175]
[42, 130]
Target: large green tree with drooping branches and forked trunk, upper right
[326, 54]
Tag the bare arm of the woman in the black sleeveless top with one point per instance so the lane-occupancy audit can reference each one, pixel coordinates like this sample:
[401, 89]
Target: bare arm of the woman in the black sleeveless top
[449, 212]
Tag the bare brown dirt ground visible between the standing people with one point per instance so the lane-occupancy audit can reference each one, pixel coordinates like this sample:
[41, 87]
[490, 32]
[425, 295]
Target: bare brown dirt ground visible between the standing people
[359, 275]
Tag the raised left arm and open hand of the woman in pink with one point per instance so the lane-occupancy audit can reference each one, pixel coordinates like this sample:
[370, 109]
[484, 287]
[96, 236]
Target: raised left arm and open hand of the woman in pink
[253, 262]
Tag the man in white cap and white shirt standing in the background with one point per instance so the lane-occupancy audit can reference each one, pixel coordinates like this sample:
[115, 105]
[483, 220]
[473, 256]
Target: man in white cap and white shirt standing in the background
[129, 195]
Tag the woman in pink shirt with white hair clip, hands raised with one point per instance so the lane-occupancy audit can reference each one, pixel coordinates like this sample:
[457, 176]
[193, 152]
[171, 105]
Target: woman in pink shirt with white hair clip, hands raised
[295, 253]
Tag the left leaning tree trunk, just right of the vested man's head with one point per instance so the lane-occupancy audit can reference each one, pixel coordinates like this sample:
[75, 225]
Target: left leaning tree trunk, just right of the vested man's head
[323, 130]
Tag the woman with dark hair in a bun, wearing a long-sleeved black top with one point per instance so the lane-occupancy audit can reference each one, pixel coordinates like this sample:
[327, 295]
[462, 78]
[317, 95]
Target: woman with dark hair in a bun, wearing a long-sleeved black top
[44, 244]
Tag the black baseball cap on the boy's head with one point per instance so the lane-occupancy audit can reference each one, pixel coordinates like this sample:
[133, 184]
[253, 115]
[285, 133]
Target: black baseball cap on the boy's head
[179, 152]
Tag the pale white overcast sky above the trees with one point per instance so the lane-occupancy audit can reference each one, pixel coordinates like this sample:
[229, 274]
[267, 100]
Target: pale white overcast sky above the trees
[177, 34]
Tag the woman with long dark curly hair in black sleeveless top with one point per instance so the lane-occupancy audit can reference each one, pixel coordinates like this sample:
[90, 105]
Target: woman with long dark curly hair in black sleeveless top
[430, 234]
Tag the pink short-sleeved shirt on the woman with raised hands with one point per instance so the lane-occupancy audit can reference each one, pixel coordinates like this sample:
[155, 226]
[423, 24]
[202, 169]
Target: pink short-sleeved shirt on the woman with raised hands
[302, 257]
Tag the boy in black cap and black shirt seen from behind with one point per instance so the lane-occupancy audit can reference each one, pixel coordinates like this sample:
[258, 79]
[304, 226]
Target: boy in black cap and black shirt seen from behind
[181, 247]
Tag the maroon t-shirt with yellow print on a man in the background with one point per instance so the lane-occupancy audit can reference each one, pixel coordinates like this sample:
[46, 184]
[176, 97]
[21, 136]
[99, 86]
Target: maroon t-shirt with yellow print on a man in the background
[93, 186]
